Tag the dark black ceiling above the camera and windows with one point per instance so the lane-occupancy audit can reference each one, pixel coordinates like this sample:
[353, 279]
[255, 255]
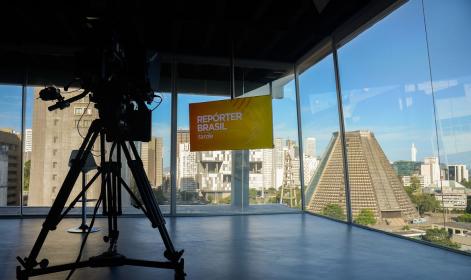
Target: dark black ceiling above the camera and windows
[41, 37]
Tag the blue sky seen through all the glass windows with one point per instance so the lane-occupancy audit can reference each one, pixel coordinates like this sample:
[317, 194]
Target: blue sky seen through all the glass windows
[385, 83]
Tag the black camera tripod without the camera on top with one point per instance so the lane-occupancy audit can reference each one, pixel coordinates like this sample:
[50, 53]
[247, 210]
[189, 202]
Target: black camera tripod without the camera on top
[110, 197]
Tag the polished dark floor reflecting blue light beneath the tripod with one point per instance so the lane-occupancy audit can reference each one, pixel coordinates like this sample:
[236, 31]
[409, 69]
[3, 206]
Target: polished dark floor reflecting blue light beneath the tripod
[288, 246]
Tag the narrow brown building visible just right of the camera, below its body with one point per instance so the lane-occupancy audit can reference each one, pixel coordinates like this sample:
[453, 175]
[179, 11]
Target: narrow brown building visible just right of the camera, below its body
[152, 159]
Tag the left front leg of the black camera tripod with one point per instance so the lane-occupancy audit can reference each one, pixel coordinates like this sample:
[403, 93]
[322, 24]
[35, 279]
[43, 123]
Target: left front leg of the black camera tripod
[54, 215]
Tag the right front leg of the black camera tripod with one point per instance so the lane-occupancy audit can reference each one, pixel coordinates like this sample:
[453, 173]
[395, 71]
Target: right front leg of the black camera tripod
[148, 199]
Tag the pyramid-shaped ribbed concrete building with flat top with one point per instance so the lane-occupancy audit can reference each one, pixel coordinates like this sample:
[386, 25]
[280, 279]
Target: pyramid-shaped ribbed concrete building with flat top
[373, 183]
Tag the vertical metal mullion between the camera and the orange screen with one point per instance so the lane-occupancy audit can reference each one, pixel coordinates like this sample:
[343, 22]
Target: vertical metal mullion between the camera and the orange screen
[173, 140]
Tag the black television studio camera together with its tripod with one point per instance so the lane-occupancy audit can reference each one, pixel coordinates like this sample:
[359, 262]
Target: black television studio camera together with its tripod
[120, 78]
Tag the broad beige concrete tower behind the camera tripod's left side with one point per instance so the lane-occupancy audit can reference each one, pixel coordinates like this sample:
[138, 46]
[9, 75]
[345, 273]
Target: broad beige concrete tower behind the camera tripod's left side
[55, 135]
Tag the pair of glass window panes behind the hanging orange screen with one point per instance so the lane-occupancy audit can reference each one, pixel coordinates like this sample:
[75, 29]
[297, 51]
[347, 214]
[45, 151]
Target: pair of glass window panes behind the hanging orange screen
[249, 178]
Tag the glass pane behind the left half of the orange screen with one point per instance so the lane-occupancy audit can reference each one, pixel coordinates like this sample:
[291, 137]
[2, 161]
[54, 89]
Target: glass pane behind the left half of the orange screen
[203, 178]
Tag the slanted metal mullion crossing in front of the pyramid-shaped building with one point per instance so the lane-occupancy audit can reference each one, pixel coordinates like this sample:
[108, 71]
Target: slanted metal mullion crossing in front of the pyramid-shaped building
[342, 132]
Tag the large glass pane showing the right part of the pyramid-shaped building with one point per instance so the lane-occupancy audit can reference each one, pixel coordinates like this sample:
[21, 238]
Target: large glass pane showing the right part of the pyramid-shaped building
[395, 169]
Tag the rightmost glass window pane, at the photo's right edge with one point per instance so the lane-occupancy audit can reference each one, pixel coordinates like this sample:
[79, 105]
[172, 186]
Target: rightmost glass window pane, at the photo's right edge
[449, 41]
